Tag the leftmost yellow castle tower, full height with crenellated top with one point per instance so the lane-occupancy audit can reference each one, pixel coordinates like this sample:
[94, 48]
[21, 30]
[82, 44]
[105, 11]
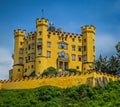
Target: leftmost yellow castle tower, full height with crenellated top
[18, 53]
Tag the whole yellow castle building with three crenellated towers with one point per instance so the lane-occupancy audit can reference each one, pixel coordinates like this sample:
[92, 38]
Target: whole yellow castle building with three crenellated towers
[49, 46]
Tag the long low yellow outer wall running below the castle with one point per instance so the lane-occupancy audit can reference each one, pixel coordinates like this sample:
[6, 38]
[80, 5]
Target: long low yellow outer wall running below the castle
[62, 81]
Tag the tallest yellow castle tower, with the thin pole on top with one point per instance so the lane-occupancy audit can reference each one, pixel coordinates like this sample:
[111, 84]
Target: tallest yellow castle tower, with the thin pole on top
[41, 45]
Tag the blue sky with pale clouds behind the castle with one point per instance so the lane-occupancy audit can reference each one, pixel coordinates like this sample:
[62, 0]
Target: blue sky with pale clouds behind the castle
[70, 15]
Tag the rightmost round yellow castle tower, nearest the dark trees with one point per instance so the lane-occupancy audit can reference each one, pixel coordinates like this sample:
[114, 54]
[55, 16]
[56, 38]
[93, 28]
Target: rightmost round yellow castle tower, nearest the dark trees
[88, 44]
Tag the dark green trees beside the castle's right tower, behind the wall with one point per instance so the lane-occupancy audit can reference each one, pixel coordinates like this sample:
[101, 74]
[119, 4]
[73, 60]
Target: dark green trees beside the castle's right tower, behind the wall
[111, 65]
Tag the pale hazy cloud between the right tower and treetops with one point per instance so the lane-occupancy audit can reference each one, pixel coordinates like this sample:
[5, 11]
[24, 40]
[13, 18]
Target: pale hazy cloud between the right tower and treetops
[105, 45]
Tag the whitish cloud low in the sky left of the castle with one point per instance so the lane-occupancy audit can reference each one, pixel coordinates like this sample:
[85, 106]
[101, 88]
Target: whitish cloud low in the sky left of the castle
[5, 63]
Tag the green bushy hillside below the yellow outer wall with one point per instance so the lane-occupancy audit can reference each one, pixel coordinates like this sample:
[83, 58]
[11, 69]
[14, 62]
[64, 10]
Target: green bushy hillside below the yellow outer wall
[48, 96]
